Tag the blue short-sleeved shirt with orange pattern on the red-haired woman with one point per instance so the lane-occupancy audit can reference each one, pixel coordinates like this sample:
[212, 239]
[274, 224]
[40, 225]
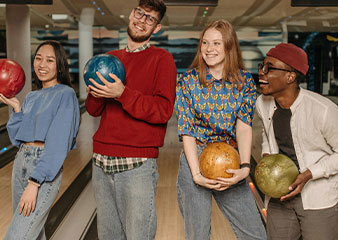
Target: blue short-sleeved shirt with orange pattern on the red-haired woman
[210, 114]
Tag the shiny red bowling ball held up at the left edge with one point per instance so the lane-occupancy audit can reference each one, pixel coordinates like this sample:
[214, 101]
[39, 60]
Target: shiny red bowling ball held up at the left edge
[12, 78]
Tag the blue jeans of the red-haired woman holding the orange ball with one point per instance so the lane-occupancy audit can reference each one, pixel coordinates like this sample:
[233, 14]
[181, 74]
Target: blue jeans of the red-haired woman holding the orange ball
[236, 203]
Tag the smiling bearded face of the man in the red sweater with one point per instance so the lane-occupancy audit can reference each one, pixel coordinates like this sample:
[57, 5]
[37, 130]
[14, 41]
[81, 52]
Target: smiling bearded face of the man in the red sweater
[138, 30]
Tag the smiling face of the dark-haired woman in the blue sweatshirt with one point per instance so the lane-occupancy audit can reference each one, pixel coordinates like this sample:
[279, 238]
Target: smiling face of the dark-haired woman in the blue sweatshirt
[45, 66]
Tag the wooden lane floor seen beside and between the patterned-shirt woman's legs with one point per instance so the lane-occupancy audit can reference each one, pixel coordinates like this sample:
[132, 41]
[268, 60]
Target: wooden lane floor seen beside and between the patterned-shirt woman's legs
[169, 220]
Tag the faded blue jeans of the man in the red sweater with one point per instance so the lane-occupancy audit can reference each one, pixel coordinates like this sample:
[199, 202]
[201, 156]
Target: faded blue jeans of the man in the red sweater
[126, 202]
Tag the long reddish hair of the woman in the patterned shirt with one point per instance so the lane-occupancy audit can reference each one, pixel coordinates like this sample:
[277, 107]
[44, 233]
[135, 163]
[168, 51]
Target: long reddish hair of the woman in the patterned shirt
[233, 61]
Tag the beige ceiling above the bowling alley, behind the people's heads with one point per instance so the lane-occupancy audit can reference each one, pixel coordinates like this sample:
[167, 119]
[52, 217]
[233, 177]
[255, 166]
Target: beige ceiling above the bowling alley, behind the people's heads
[251, 14]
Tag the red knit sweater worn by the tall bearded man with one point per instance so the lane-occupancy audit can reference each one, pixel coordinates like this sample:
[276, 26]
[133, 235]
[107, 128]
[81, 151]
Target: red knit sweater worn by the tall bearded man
[134, 124]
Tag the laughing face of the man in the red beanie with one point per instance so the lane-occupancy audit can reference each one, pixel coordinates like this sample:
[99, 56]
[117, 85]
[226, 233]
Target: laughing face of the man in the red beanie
[275, 82]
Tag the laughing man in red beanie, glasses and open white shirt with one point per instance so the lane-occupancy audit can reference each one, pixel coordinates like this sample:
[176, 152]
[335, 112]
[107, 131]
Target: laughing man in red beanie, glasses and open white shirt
[304, 126]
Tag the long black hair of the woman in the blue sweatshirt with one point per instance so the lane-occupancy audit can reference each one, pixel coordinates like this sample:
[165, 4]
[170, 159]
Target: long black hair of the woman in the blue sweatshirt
[62, 66]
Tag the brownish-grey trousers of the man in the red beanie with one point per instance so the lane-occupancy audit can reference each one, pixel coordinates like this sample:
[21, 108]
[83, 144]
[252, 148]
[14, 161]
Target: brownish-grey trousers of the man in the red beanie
[289, 221]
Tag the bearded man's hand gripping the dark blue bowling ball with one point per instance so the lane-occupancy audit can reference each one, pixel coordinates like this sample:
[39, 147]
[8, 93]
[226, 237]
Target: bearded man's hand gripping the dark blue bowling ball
[109, 89]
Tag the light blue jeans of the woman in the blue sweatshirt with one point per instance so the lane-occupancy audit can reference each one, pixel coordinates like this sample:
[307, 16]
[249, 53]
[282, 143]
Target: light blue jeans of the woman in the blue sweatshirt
[30, 227]
